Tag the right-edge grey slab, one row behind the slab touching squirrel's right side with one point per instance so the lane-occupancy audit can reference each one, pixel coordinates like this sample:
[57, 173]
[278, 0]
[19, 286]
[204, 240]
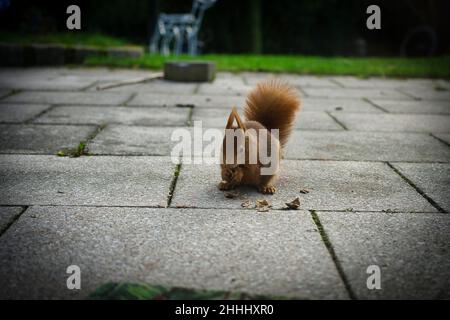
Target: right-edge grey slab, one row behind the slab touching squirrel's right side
[395, 122]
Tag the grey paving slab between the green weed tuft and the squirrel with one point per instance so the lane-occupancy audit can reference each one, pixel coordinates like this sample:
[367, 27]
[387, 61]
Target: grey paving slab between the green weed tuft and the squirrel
[135, 140]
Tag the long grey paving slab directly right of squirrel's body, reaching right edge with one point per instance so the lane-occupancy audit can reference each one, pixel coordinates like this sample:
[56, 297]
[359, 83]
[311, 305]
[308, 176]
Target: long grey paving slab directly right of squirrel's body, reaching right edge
[366, 146]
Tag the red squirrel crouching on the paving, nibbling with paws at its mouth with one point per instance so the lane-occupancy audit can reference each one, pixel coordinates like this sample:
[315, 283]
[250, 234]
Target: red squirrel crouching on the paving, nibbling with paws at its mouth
[271, 105]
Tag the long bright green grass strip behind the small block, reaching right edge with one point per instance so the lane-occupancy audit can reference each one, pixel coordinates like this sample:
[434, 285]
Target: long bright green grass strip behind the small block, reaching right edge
[362, 67]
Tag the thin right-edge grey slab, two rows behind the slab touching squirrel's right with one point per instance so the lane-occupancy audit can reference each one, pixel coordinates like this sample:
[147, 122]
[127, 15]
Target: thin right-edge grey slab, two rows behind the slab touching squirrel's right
[422, 107]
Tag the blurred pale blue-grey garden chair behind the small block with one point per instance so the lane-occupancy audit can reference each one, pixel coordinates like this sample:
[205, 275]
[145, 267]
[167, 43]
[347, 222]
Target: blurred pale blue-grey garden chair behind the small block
[179, 28]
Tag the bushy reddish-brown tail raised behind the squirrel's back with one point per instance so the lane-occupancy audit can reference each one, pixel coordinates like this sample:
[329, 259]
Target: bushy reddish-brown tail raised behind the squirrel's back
[274, 104]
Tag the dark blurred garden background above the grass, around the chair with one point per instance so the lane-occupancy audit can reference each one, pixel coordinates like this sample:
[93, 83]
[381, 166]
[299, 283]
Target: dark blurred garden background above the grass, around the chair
[309, 27]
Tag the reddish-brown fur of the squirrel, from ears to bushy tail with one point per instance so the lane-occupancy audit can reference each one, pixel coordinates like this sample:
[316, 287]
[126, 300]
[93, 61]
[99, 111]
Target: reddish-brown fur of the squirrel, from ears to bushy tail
[271, 105]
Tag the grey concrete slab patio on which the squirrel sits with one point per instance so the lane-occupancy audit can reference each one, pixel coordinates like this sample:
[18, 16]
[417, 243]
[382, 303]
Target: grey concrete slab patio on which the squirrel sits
[373, 153]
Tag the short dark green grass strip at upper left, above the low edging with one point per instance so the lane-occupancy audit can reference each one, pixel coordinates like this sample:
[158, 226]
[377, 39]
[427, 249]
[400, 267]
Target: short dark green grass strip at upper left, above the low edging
[68, 38]
